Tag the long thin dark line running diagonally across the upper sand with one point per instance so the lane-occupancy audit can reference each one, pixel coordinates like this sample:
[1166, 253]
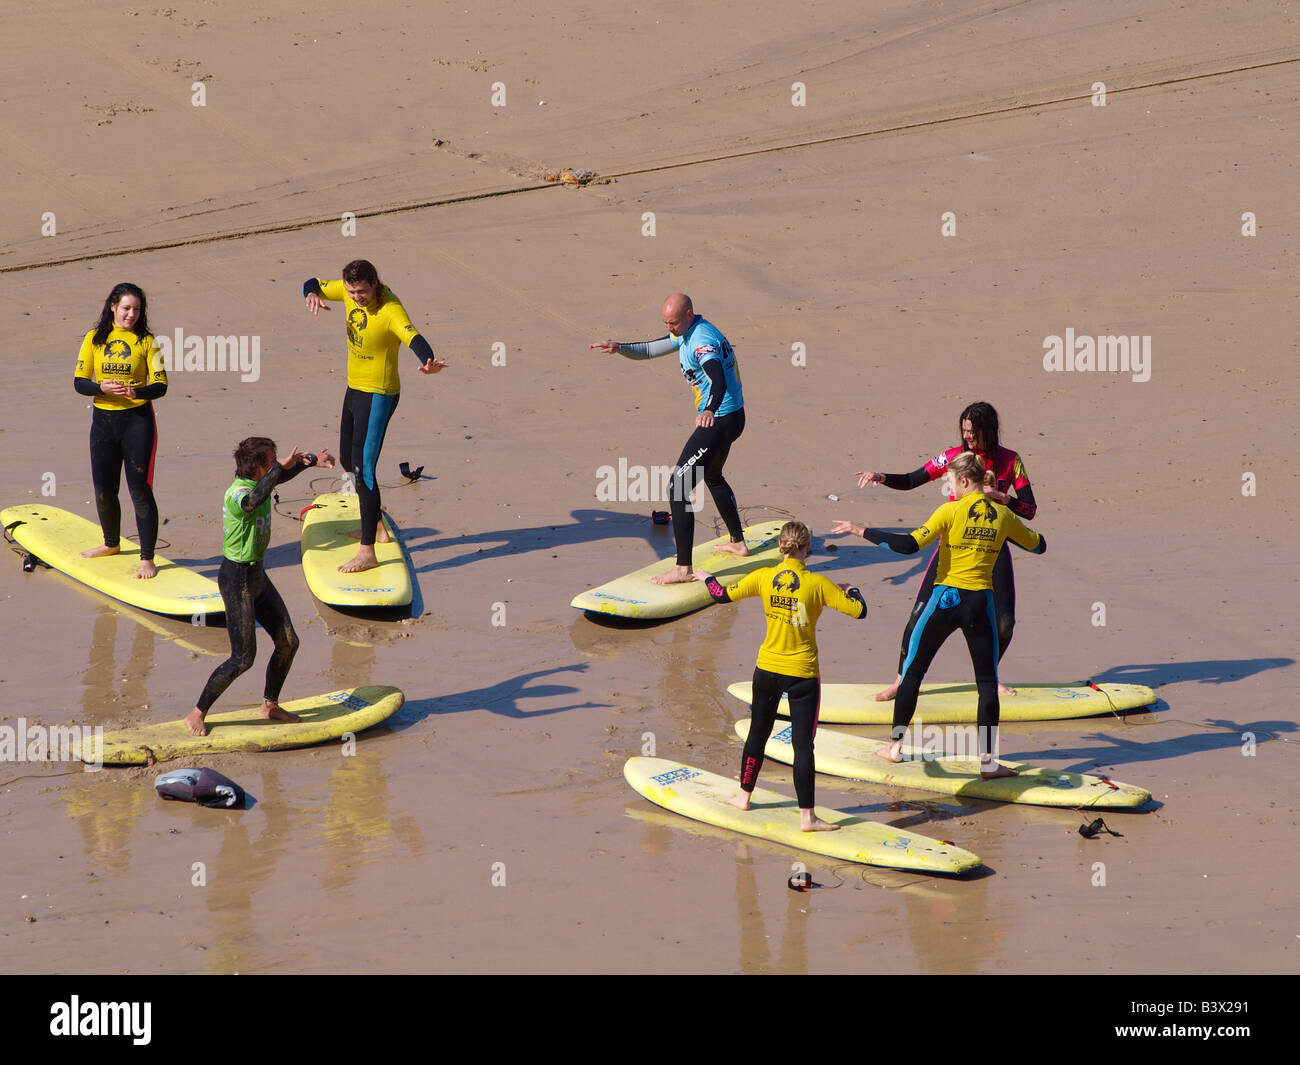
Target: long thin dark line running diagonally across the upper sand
[237, 235]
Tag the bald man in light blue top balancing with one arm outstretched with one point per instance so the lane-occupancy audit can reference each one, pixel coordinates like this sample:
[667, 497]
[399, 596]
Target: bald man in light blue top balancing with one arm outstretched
[709, 363]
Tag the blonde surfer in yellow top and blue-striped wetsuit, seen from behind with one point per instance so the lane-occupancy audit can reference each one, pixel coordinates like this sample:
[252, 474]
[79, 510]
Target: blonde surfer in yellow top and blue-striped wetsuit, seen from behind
[972, 531]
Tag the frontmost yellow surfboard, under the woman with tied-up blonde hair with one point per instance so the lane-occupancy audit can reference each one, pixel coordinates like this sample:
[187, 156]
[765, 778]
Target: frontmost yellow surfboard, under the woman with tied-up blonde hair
[701, 796]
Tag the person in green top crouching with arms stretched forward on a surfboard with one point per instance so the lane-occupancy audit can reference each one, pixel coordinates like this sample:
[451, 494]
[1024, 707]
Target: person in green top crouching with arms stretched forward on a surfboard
[246, 591]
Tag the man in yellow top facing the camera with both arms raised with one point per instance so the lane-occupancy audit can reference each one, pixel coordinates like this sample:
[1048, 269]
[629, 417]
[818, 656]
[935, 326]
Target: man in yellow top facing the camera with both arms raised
[378, 327]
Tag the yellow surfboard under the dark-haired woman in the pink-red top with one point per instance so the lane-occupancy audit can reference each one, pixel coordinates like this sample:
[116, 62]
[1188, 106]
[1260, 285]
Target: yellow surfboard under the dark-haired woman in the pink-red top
[957, 704]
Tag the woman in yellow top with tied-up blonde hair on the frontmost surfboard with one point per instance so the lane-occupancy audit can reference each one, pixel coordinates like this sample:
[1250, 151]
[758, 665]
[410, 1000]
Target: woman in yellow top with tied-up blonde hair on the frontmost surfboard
[787, 663]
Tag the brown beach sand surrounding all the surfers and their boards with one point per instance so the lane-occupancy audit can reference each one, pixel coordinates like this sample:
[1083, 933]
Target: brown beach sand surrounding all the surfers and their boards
[1106, 220]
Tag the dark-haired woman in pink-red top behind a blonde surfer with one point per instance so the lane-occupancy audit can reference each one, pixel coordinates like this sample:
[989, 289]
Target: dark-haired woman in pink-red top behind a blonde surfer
[980, 428]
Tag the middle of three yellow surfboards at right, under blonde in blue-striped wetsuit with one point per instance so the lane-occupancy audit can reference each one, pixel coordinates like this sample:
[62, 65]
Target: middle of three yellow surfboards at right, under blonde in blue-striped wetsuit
[855, 757]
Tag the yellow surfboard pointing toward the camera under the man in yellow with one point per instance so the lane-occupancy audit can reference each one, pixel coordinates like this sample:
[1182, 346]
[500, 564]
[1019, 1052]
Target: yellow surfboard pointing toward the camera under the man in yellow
[327, 547]
